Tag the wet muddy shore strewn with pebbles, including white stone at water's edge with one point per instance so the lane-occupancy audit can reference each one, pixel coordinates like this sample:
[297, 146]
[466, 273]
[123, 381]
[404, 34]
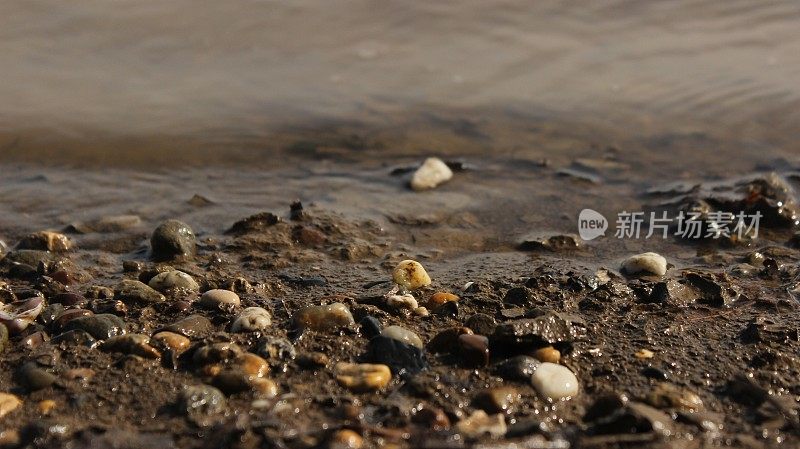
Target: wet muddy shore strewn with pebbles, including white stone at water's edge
[180, 338]
